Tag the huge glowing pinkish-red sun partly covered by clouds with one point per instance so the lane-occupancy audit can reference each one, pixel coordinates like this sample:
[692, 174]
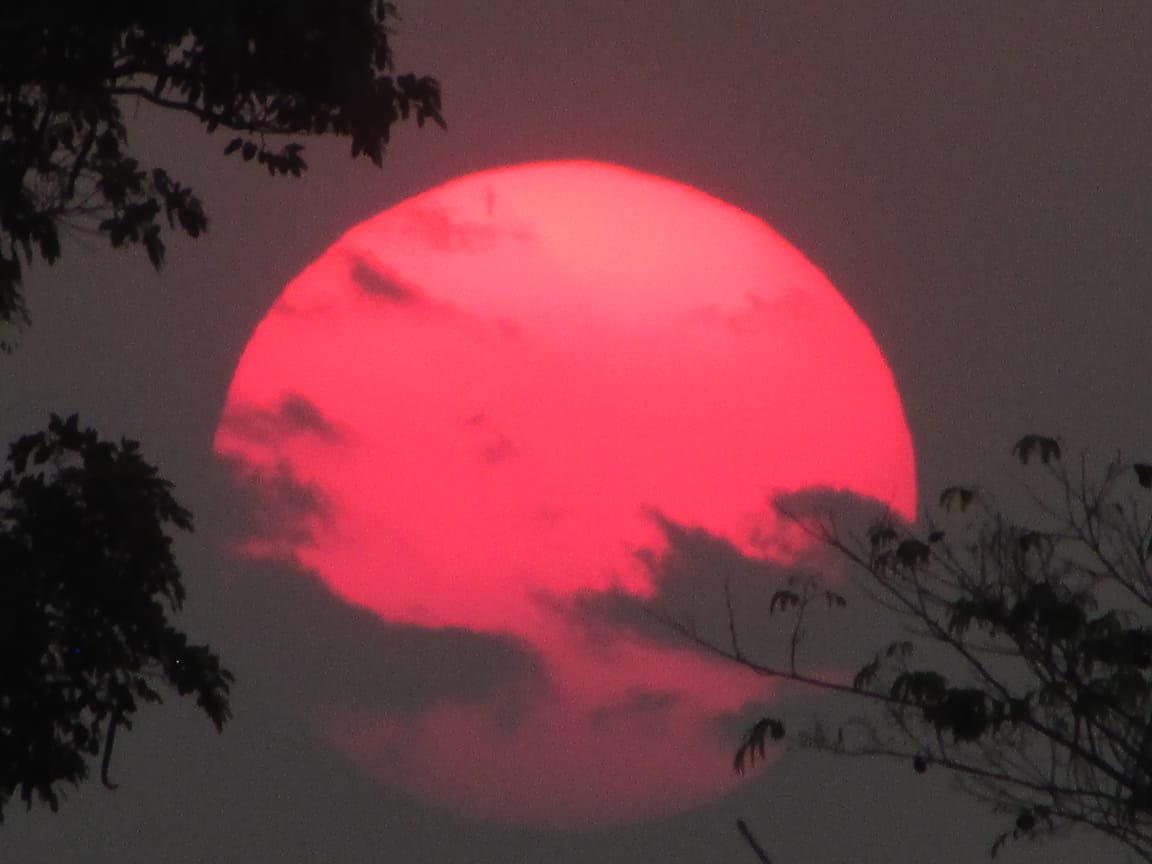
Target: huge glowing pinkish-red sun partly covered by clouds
[498, 396]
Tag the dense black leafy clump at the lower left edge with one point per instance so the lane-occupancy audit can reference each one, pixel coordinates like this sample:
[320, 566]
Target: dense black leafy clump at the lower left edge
[87, 585]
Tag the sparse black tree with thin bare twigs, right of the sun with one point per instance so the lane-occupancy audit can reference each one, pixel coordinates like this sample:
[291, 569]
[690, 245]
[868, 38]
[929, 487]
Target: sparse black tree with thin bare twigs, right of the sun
[1026, 666]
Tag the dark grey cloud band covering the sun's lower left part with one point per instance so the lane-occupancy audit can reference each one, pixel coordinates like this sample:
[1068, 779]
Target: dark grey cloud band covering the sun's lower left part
[322, 651]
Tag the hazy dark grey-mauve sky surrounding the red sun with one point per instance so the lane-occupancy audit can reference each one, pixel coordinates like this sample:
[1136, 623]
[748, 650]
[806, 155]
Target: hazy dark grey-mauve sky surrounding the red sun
[974, 178]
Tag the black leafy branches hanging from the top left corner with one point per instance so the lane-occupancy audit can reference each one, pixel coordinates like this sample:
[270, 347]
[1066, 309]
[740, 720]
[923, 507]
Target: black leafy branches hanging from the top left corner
[259, 70]
